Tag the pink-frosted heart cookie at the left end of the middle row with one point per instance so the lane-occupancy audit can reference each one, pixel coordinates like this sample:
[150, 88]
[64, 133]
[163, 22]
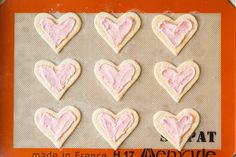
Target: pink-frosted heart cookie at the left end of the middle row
[57, 79]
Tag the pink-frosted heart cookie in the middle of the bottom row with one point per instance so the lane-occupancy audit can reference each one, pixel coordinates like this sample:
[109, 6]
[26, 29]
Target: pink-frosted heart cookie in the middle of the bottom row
[115, 128]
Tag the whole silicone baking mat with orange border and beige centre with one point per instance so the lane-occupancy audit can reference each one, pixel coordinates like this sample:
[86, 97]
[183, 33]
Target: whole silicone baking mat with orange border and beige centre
[211, 96]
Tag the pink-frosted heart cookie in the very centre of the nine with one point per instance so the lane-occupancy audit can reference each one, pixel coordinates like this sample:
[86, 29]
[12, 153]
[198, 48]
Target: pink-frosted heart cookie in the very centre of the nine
[117, 79]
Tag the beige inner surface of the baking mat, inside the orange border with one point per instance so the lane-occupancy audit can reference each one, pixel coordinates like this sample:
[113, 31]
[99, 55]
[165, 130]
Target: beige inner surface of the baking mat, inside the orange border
[146, 96]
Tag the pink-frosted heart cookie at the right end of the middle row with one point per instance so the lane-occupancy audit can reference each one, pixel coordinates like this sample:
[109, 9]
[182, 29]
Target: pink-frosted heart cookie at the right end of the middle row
[177, 81]
